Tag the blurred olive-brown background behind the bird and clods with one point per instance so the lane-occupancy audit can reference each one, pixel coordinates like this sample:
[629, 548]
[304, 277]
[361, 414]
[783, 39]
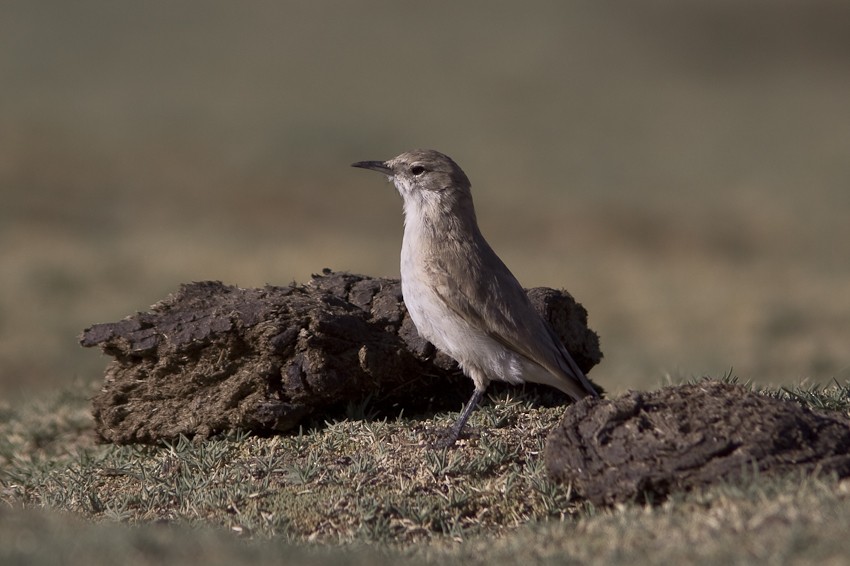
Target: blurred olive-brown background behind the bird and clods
[682, 168]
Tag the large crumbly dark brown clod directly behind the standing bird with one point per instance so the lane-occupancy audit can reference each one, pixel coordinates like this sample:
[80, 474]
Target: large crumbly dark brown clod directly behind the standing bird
[213, 357]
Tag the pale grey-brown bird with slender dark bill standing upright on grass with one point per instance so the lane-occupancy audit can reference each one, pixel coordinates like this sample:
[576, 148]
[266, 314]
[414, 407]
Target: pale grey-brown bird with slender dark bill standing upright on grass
[460, 295]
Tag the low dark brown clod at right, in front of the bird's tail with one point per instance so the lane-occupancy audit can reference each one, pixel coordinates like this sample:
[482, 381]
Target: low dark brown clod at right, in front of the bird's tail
[644, 445]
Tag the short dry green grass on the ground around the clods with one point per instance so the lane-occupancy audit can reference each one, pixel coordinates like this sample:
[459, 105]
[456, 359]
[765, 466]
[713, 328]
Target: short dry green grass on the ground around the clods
[359, 488]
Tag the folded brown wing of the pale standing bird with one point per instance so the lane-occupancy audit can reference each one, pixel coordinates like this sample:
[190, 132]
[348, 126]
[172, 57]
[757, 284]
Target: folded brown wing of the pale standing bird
[491, 298]
